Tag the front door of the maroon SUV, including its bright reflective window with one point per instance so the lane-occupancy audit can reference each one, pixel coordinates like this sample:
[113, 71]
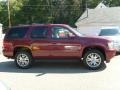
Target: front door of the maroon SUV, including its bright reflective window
[64, 42]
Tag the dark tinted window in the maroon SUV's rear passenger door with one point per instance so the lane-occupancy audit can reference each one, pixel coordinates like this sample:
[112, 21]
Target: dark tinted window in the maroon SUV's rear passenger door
[39, 32]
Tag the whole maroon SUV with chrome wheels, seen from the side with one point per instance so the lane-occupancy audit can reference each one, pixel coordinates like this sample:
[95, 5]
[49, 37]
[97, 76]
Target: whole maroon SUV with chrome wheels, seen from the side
[26, 43]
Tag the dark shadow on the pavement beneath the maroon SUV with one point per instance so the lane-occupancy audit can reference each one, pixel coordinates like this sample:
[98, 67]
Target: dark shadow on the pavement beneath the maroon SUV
[49, 66]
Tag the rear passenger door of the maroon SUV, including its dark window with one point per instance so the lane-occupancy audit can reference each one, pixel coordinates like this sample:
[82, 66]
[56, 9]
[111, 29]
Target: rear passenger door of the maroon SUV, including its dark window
[40, 41]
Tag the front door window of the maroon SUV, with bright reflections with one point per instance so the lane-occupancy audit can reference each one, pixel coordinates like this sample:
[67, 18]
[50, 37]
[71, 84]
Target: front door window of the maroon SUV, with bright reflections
[61, 33]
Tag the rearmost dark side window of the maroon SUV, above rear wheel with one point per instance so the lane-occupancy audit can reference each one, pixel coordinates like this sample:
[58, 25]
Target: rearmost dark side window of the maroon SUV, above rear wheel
[16, 33]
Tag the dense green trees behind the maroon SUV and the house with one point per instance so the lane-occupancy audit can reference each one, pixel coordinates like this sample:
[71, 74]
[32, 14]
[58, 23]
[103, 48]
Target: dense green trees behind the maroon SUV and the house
[47, 11]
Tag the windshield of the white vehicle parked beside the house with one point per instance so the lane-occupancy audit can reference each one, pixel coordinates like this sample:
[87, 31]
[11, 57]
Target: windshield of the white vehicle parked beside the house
[109, 32]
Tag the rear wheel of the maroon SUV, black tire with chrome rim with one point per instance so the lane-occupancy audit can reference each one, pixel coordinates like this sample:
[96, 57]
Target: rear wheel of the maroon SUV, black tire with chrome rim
[28, 59]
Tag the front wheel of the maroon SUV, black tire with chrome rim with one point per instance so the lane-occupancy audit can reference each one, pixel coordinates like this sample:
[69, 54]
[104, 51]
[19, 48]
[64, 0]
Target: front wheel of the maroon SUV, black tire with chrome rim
[87, 59]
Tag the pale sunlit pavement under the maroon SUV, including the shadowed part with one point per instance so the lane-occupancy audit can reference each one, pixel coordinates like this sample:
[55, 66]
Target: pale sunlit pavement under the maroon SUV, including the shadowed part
[56, 75]
